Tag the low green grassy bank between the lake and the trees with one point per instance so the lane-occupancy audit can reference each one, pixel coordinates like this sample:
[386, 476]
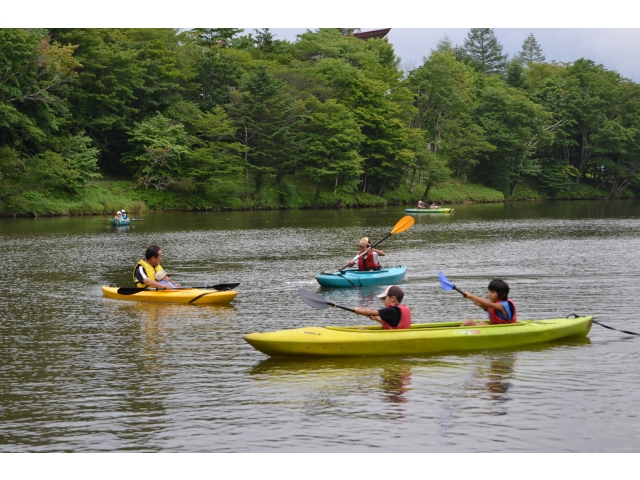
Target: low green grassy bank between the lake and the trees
[106, 197]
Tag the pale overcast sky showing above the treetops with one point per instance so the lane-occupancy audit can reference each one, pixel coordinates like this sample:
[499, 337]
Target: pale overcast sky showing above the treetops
[615, 48]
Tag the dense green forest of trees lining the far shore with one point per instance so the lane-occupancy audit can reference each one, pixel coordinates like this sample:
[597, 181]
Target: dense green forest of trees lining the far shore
[220, 113]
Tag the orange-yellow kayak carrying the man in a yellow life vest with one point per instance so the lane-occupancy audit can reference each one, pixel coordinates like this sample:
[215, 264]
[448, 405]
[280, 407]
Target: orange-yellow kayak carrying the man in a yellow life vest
[195, 296]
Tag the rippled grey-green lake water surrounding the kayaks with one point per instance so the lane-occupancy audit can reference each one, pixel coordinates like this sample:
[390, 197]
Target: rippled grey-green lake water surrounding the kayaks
[82, 373]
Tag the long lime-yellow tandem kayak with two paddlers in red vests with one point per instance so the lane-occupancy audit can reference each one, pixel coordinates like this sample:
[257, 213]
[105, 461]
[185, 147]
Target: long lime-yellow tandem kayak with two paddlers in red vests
[419, 339]
